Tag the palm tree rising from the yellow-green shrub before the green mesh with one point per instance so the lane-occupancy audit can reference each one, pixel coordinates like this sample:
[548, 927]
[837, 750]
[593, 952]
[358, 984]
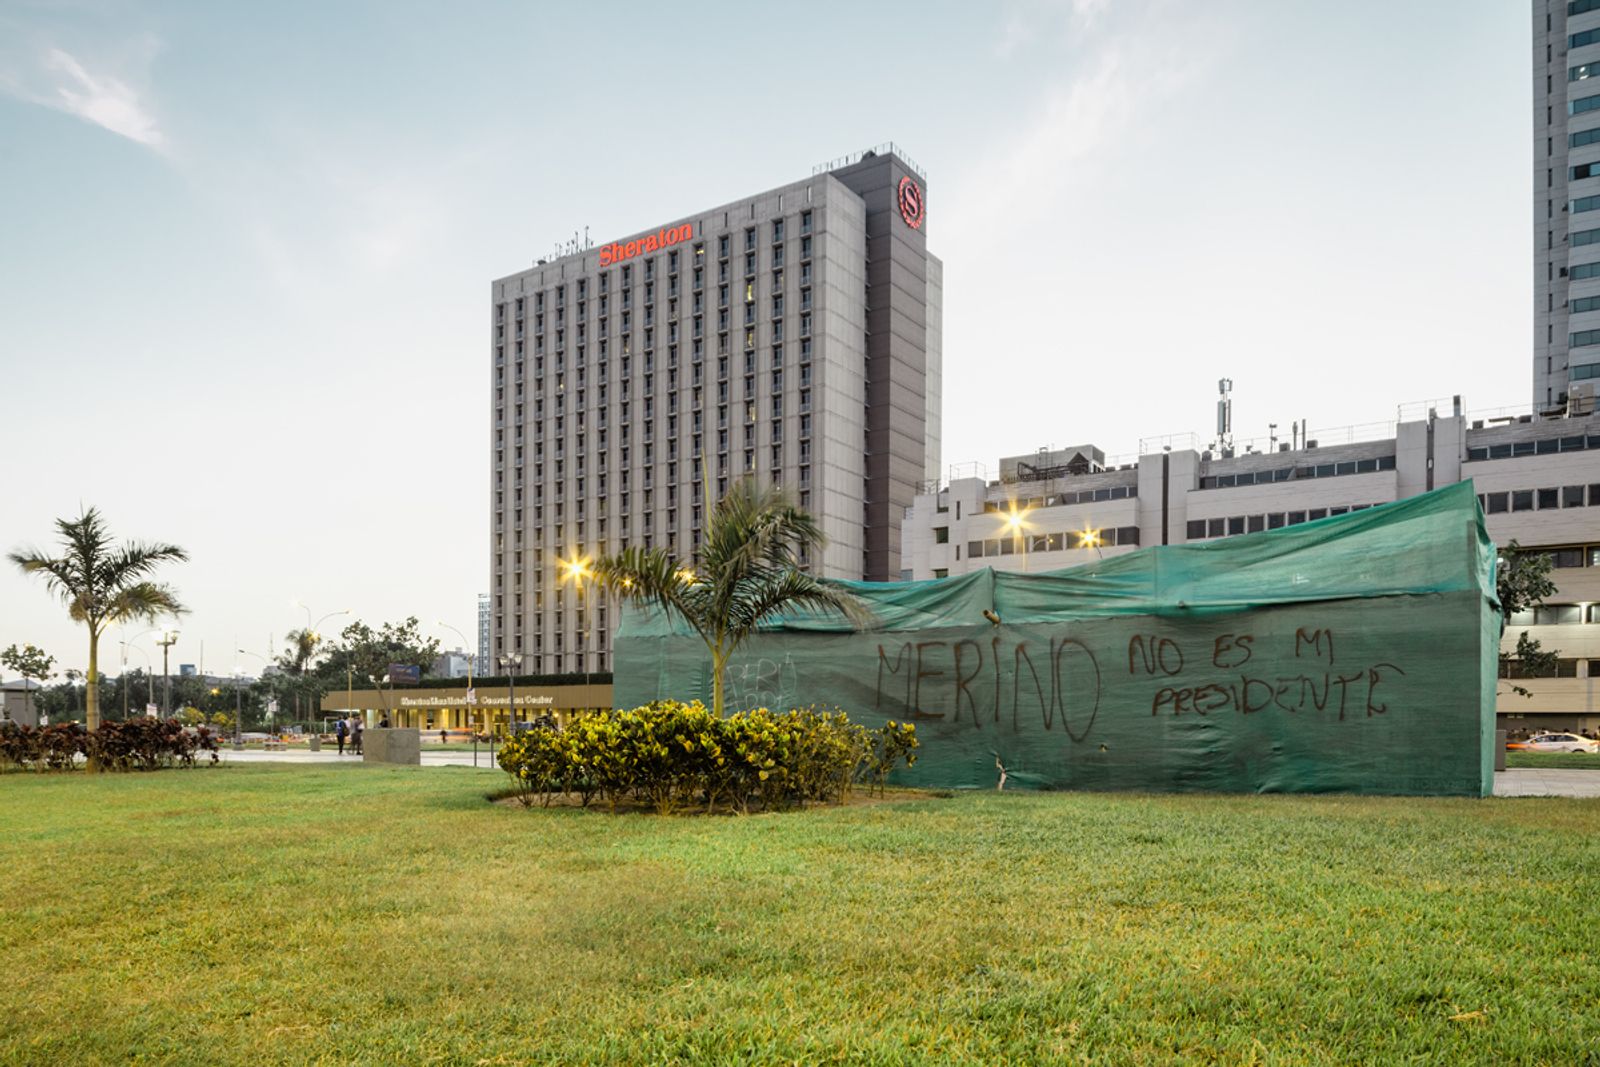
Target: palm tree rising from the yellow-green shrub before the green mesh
[750, 572]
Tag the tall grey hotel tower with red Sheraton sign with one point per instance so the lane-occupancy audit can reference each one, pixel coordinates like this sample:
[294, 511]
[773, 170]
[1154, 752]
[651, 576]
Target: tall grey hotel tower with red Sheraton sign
[793, 337]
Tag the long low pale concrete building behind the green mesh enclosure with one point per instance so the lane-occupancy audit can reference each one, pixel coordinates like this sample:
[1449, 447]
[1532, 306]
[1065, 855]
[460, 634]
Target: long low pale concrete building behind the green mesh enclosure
[1537, 478]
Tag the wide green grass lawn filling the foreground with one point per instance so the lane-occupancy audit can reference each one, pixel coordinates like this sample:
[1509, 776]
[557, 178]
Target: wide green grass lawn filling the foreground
[266, 914]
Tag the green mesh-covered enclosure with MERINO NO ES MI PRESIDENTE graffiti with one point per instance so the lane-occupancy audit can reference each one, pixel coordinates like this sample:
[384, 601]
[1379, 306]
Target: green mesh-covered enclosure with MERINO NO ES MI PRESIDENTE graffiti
[1350, 655]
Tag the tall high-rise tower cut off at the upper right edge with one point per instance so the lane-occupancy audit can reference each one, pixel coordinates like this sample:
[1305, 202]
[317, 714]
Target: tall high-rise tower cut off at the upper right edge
[1566, 204]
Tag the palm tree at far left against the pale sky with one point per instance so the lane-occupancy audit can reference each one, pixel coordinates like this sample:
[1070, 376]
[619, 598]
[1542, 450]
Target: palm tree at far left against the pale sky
[103, 585]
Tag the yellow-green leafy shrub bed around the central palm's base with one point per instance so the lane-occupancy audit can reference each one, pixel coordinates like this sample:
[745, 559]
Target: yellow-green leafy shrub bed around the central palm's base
[671, 756]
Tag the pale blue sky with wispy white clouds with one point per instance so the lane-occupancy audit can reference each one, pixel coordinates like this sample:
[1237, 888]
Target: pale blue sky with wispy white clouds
[246, 250]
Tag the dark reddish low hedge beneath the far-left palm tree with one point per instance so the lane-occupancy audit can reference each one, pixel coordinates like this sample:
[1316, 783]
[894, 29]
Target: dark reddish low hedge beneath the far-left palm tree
[137, 745]
